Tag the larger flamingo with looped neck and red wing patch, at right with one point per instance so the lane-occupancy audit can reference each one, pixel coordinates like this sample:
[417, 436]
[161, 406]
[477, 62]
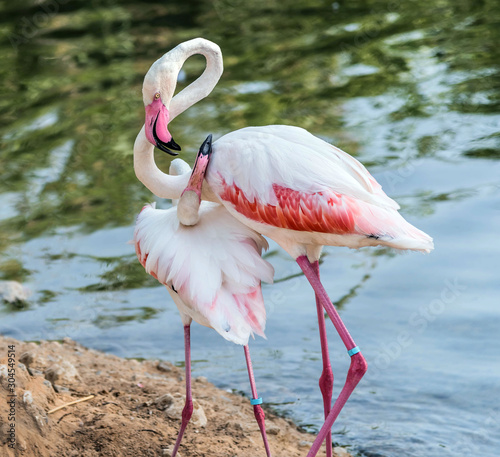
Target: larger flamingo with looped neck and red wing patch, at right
[282, 182]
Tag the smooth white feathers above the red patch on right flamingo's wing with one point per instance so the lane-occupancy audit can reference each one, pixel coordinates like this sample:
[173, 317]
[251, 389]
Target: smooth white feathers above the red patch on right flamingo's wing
[255, 158]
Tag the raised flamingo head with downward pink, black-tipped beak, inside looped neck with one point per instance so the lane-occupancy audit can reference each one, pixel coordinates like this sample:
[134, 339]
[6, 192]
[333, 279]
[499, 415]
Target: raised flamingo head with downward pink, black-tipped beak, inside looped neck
[157, 93]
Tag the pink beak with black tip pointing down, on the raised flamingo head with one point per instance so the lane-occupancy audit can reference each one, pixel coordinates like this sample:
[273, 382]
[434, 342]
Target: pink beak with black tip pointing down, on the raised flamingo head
[157, 133]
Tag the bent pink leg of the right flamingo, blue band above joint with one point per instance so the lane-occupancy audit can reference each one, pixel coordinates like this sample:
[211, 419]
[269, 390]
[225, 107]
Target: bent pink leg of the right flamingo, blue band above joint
[358, 365]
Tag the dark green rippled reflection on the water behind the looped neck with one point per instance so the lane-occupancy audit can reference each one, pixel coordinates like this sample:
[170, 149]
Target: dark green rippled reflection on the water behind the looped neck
[70, 101]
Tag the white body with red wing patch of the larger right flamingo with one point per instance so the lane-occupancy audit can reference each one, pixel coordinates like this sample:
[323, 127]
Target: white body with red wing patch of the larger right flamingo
[300, 191]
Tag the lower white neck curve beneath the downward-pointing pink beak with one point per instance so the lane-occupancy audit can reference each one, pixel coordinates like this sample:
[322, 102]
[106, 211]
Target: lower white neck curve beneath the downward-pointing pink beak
[161, 184]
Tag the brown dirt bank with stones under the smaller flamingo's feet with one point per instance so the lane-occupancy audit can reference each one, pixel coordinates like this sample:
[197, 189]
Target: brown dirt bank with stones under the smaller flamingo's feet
[135, 409]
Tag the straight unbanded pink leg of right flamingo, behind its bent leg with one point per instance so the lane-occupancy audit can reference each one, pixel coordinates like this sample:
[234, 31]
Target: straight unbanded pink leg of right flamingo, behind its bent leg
[326, 379]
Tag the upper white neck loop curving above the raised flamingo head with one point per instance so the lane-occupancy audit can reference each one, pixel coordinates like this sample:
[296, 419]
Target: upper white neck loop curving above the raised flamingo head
[200, 88]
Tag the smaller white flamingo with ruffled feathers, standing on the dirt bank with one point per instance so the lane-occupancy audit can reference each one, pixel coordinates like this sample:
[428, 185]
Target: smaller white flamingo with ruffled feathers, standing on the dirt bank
[213, 272]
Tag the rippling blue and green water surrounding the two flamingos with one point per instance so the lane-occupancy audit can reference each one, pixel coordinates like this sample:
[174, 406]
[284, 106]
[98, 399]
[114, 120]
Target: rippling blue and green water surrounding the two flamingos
[411, 89]
